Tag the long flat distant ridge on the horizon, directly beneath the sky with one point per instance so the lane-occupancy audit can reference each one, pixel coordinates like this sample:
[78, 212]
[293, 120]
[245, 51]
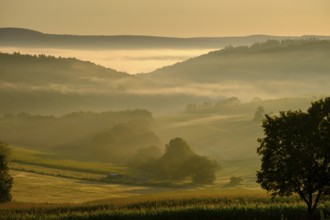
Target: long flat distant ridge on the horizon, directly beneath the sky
[19, 37]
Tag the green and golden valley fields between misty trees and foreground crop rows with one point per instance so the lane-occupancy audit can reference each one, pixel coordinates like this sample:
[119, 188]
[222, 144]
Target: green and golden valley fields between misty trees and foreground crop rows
[41, 177]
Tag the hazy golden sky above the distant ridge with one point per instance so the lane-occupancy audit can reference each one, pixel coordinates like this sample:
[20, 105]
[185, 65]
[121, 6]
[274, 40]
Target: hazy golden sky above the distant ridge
[183, 18]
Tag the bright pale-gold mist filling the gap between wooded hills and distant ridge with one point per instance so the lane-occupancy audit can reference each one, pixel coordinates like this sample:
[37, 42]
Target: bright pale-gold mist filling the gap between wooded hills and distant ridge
[124, 60]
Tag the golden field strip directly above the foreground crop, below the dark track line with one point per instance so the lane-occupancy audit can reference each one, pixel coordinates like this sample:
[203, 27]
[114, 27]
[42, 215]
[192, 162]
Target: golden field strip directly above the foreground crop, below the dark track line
[38, 188]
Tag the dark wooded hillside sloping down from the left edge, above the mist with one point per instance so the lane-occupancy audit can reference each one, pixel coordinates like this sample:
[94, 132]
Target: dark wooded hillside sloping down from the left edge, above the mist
[26, 68]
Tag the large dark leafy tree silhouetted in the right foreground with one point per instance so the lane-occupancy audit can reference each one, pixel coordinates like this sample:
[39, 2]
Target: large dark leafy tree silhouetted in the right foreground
[295, 154]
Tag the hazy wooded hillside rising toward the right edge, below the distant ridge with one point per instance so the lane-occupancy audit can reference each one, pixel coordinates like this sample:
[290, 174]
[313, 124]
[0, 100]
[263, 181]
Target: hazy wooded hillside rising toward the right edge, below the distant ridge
[273, 60]
